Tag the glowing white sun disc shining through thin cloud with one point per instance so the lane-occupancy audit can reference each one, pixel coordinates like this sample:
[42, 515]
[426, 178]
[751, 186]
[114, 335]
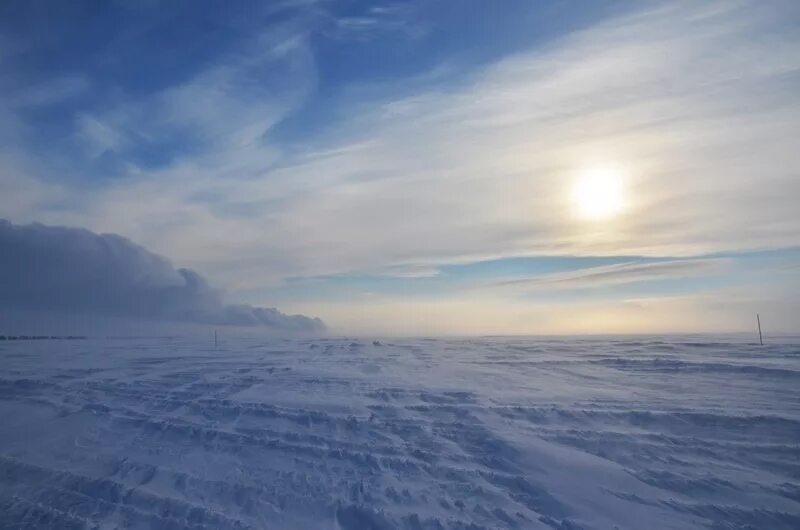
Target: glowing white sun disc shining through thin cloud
[598, 194]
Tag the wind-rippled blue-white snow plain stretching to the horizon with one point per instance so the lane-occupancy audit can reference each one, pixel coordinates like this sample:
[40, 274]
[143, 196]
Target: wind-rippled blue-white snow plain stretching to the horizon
[594, 433]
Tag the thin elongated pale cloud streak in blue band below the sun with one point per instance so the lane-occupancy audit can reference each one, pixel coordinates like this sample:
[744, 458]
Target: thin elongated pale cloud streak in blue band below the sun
[621, 273]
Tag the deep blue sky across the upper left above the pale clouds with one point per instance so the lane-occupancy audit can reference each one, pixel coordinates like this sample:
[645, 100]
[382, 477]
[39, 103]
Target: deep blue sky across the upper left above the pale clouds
[71, 63]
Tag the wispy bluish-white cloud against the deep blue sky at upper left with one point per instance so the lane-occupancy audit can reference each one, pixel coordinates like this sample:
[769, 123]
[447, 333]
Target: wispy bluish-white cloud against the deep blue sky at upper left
[219, 116]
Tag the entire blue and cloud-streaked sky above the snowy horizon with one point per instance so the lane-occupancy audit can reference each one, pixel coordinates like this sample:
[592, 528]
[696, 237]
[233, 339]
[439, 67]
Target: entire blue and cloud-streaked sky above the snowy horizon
[416, 168]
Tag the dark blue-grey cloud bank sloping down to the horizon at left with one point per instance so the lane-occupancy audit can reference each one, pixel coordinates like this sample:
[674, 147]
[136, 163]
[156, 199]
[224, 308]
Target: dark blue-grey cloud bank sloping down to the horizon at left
[68, 271]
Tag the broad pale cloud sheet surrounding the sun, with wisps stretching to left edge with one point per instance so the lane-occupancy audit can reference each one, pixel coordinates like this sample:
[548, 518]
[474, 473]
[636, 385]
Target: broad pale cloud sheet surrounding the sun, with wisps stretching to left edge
[697, 106]
